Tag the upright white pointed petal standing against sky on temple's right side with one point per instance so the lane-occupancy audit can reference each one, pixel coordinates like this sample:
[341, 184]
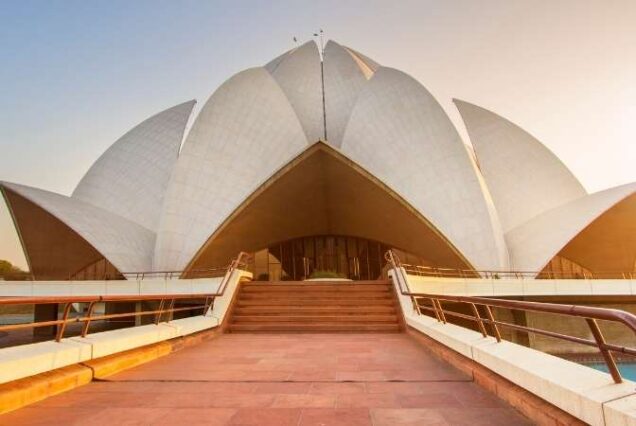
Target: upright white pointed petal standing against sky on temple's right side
[523, 176]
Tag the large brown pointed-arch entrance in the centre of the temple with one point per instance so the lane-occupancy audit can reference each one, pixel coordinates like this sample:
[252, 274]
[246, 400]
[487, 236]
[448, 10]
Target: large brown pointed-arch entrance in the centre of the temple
[322, 214]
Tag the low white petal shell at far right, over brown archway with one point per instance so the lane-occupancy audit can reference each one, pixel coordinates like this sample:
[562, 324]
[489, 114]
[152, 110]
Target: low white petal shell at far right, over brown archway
[533, 244]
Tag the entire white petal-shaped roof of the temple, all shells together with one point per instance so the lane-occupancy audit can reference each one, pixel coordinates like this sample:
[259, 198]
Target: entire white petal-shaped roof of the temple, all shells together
[382, 120]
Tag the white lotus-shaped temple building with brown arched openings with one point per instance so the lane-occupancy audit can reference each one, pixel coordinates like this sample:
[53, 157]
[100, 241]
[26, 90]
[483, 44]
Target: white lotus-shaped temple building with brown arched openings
[312, 173]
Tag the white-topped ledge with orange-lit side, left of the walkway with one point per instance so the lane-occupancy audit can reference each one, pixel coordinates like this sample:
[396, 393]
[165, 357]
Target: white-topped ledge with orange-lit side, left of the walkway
[30, 373]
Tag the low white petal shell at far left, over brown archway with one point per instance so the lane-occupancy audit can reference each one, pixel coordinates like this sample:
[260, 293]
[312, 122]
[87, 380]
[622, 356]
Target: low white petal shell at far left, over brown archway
[127, 245]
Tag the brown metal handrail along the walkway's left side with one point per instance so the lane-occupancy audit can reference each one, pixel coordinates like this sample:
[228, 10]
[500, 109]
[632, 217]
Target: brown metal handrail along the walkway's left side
[166, 304]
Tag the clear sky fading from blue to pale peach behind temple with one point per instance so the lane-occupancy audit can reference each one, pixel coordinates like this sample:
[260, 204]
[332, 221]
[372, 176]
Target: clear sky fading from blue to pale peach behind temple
[76, 75]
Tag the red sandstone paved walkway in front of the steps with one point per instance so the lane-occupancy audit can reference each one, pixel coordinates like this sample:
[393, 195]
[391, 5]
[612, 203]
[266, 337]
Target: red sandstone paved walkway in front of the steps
[278, 379]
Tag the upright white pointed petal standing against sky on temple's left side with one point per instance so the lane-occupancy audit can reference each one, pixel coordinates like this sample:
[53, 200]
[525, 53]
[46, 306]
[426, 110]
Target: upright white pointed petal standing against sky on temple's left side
[131, 177]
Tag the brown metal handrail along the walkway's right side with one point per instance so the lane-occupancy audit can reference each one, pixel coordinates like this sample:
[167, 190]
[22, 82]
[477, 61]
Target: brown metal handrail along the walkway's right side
[589, 313]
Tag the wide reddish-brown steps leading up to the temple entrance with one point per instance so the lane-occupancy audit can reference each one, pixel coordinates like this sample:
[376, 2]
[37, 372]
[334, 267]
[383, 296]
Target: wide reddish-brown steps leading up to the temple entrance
[325, 306]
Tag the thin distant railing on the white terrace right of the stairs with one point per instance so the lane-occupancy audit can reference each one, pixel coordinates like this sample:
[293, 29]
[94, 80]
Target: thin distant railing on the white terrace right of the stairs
[432, 271]
